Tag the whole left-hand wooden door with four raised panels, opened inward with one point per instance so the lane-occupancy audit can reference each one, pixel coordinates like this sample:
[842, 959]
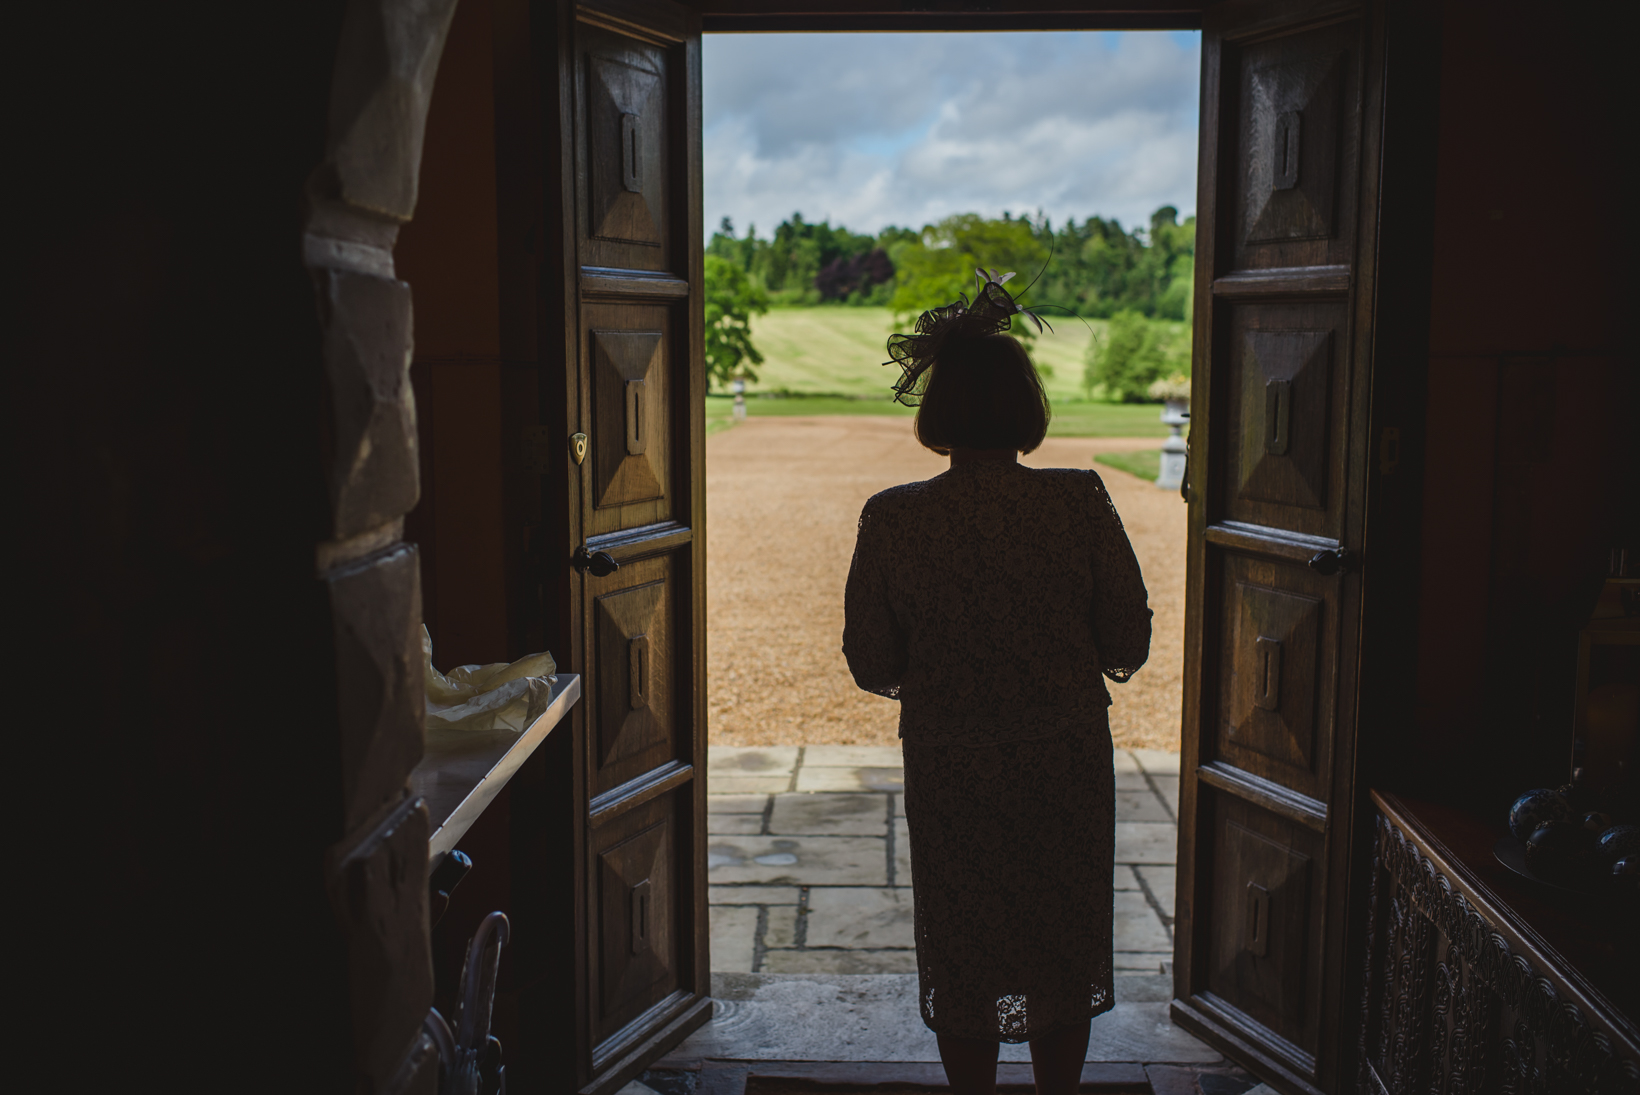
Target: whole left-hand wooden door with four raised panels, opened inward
[635, 388]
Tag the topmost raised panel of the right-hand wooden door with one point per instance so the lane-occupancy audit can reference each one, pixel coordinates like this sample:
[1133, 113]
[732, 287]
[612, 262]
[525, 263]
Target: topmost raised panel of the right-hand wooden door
[1291, 142]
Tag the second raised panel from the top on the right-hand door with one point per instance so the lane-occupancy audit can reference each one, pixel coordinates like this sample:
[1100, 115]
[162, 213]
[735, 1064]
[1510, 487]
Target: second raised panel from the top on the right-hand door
[1285, 386]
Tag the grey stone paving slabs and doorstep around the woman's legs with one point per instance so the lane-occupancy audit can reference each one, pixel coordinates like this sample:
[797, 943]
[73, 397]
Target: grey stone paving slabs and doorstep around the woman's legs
[814, 965]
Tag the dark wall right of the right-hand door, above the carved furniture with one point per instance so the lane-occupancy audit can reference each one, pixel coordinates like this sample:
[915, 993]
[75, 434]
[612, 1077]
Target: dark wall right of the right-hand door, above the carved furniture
[1531, 443]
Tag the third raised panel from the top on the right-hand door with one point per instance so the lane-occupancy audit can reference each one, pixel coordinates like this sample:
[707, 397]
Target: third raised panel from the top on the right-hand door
[1273, 673]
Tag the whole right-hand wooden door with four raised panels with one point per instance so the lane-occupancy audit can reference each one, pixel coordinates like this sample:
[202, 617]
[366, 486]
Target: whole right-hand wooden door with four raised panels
[1283, 335]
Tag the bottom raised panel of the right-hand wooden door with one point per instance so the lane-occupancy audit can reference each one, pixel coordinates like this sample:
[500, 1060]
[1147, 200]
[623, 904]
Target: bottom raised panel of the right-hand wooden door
[1264, 948]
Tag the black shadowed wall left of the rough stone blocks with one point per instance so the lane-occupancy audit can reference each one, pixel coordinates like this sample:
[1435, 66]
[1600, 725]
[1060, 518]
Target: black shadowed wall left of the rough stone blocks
[165, 384]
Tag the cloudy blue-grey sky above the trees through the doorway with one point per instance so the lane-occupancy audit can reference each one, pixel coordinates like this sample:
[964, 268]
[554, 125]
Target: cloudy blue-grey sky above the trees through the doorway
[875, 130]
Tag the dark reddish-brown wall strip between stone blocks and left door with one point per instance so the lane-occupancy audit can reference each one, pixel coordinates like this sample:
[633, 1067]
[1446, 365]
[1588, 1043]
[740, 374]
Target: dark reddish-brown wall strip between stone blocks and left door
[449, 255]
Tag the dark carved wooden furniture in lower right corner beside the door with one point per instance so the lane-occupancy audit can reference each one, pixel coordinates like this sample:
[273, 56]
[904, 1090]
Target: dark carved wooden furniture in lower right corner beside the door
[1477, 983]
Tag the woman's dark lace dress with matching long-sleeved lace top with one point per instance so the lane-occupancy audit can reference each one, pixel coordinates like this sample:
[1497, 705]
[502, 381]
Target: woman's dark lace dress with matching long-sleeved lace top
[993, 601]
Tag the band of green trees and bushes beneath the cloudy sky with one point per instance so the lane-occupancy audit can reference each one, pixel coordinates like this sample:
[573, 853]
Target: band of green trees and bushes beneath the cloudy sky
[1139, 279]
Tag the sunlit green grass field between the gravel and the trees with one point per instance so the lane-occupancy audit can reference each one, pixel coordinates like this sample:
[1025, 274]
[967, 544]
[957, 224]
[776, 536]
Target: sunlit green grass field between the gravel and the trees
[829, 361]
